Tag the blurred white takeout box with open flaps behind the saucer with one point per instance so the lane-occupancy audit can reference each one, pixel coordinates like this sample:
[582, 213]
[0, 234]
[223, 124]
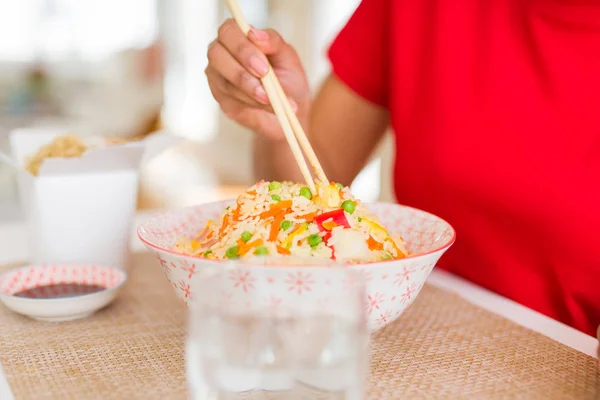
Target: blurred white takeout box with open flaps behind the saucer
[82, 209]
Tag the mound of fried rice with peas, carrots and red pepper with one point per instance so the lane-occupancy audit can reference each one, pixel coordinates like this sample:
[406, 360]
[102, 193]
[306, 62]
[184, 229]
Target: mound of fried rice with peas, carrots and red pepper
[283, 219]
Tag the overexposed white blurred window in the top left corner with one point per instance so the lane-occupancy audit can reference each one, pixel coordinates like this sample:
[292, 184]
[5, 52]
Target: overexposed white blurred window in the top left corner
[74, 30]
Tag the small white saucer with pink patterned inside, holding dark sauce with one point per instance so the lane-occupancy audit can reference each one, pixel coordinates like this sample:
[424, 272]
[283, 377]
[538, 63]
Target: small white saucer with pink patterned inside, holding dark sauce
[51, 291]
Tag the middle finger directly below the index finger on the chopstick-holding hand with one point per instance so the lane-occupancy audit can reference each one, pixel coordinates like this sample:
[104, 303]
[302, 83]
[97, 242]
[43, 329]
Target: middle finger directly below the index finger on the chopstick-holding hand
[226, 66]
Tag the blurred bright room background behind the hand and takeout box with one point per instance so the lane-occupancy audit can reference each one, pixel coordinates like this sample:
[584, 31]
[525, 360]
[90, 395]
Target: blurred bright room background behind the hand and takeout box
[130, 67]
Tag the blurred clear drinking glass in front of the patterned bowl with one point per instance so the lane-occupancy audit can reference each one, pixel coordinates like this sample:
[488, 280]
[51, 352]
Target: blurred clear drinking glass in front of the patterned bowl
[277, 332]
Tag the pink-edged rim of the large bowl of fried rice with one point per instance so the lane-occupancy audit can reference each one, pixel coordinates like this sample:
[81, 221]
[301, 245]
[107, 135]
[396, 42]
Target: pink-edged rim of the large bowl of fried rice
[443, 247]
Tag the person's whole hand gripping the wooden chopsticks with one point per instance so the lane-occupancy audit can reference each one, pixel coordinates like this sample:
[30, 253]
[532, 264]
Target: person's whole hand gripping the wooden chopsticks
[235, 65]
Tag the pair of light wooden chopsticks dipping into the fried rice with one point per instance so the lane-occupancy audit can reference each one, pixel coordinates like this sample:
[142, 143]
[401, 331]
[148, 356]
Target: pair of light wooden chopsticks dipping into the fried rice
[285, 114]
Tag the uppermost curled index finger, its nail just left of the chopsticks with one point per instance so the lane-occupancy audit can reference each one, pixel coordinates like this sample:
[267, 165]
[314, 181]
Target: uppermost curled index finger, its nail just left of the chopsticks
[242, 49]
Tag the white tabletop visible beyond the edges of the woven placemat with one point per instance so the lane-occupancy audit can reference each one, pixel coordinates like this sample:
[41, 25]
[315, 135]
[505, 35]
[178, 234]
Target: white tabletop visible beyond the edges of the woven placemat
[14, 249]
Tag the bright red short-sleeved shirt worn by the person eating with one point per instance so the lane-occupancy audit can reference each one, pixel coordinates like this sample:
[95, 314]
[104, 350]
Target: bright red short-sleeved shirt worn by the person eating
[495, 105]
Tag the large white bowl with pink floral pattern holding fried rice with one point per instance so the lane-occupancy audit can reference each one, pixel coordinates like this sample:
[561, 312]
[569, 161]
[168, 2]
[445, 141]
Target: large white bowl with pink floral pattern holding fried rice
[392, 286]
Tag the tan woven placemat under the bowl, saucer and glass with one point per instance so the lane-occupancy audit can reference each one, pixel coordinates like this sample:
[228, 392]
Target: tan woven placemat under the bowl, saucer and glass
[442, 347]
